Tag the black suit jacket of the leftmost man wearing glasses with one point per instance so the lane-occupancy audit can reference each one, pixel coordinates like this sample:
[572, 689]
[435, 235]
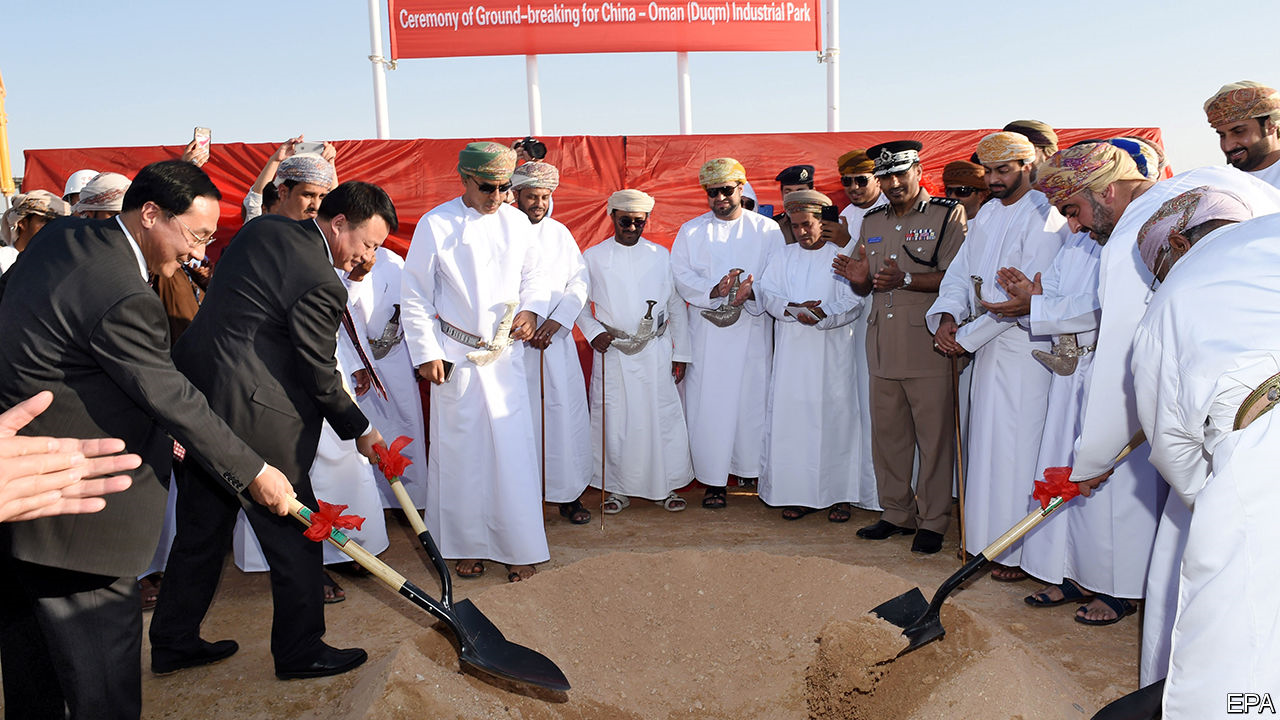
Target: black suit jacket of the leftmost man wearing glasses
[77, 318]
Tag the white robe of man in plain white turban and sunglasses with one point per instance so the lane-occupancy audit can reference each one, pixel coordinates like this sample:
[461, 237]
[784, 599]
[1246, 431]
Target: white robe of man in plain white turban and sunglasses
[648, 443]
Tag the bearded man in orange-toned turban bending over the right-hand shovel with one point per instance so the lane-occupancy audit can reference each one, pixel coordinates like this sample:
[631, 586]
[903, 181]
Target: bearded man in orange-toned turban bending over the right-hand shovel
[1100, 190]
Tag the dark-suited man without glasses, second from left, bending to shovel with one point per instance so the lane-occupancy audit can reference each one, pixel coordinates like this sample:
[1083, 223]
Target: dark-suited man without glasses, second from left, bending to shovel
[263, 352]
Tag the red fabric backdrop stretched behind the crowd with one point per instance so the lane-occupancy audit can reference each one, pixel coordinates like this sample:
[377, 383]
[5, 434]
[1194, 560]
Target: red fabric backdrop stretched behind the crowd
[422, 174]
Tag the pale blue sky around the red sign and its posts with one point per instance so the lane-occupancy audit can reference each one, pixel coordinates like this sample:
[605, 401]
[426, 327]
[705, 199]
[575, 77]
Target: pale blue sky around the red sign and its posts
[145, 72]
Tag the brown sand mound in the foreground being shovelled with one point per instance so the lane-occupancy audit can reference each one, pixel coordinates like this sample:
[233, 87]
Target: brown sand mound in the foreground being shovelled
[719, 636]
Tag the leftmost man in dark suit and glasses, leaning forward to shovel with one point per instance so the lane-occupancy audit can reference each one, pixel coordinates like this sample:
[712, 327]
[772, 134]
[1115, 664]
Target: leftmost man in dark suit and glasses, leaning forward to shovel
[79, 318]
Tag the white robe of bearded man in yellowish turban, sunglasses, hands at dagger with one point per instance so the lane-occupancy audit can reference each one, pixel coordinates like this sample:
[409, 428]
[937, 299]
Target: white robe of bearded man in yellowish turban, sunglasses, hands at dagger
[729, 379]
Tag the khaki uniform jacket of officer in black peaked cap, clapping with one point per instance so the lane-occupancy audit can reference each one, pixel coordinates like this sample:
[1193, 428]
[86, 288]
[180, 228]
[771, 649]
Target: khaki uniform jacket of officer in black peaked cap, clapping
[925, 240]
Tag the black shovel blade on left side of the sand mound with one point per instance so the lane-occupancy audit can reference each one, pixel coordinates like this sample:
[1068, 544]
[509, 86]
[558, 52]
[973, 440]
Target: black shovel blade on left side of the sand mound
[486, 649]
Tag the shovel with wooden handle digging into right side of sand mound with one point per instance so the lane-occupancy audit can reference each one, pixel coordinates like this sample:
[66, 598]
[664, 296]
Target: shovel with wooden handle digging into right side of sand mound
[920, 621]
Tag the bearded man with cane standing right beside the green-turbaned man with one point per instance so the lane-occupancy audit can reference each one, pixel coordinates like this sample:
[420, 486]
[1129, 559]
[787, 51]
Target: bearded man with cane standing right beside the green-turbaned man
[552, 366]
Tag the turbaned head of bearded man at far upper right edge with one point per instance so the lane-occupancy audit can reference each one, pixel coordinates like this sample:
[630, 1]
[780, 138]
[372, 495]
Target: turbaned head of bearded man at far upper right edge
[1245, 116]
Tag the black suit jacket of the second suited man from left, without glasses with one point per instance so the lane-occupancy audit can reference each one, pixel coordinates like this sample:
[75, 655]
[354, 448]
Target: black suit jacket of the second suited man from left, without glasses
[263, 345]
